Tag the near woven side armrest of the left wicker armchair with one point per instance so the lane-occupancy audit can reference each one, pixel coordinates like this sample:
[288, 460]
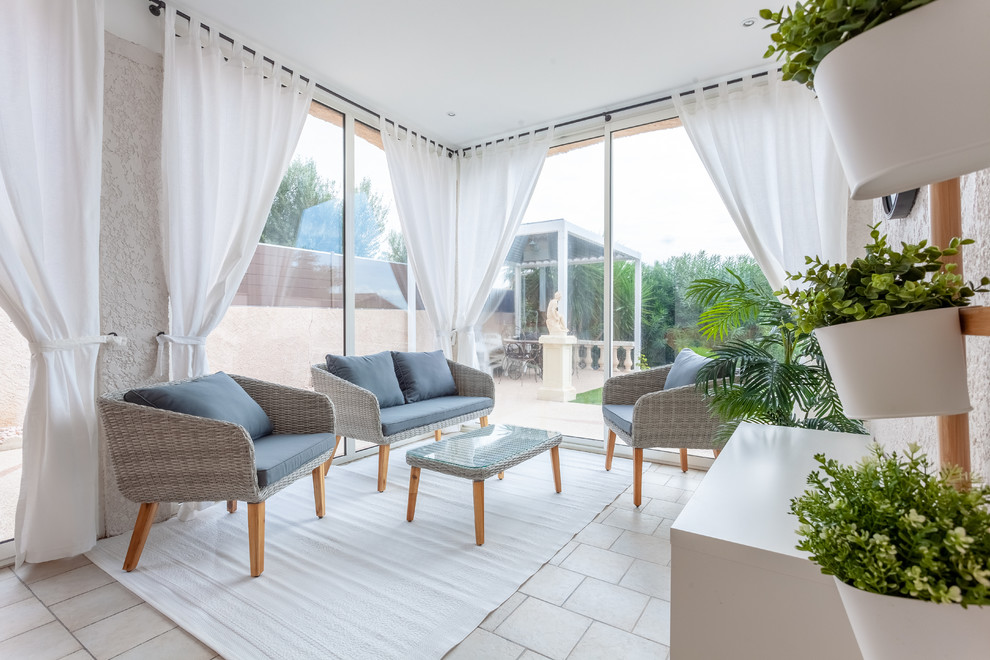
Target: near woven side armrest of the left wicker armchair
[164, 456]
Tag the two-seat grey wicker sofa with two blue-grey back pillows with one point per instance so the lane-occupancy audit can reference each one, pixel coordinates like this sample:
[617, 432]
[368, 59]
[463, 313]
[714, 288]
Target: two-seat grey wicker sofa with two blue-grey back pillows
[374, 408]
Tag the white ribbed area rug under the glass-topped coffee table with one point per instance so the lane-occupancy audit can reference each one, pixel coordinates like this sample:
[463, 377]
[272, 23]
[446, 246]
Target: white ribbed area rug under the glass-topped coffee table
[362, 582]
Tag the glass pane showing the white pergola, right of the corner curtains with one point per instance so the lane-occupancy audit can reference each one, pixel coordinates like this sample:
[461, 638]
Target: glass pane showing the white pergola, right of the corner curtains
[561, 239]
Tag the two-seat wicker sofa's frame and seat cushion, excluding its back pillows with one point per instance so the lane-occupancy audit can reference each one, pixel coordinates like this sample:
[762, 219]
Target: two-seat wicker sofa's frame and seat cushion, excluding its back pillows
[360, 417]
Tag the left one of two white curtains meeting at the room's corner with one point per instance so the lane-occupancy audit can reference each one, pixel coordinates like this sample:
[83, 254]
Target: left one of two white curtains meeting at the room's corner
[424, 183]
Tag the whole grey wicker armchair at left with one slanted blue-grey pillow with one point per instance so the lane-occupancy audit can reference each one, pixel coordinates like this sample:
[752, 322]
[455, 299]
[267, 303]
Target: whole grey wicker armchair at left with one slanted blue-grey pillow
[216, 438]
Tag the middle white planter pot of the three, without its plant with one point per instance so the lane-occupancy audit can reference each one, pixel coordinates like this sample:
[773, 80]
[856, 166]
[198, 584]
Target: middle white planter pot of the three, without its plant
[907, 365]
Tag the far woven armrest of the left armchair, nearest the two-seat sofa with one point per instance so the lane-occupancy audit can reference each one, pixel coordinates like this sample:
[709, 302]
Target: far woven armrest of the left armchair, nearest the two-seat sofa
[292, 410]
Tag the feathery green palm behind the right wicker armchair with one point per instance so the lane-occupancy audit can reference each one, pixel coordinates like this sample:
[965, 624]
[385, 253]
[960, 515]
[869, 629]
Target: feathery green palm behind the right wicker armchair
[764, 369]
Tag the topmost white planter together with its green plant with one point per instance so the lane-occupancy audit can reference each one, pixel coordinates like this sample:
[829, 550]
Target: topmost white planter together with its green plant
[886, 73]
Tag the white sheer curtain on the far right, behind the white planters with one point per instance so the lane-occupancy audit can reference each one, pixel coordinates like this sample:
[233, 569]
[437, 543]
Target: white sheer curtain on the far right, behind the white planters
[765, 144]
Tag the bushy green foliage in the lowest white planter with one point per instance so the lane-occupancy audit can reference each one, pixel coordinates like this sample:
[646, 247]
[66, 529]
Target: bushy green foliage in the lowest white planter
[891, 525]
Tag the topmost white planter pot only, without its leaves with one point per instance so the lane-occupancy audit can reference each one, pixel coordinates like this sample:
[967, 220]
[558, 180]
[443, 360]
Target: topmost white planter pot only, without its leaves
[908, 102]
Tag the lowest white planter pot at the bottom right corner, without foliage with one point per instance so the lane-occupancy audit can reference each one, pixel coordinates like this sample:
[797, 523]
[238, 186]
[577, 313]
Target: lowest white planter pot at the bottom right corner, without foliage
[894, 628]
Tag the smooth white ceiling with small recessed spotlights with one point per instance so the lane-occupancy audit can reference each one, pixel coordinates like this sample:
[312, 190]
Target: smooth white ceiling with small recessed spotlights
[500, 65]
